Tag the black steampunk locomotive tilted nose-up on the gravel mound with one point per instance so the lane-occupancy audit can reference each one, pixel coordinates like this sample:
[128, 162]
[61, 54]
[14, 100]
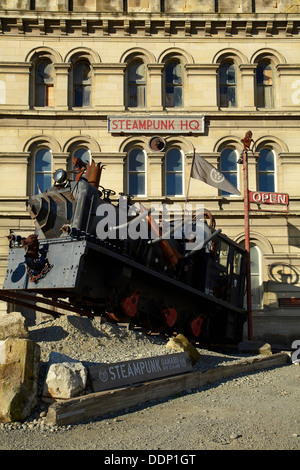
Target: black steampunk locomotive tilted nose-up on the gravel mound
[86, 257]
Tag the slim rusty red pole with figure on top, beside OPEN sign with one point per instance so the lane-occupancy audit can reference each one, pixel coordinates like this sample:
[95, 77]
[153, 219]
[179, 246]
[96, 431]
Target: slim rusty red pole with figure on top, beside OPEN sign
[247, 140]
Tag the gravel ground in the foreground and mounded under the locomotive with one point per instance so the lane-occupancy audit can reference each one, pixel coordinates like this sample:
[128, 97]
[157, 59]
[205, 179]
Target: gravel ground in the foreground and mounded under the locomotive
[258, 411]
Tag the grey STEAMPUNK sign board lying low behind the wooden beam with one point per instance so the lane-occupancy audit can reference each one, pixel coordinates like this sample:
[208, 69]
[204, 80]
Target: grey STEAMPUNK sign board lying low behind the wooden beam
[111, 376]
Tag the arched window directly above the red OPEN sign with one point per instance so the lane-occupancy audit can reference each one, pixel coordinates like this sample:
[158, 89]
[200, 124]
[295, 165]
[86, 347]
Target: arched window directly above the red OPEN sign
[266, 170]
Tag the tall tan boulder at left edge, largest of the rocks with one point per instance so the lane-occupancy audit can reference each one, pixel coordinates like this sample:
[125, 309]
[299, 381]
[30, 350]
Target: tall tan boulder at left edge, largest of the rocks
[19, 374]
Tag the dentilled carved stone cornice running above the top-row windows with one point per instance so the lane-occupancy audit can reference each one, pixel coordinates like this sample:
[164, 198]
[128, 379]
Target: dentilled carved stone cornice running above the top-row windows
[33, 23]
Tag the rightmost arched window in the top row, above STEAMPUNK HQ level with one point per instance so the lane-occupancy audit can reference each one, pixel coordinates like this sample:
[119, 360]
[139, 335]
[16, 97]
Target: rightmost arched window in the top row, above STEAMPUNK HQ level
[264, 85]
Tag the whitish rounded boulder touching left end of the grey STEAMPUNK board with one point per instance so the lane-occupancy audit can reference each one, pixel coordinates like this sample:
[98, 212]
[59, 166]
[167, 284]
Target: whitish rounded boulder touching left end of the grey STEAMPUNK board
[64, 380]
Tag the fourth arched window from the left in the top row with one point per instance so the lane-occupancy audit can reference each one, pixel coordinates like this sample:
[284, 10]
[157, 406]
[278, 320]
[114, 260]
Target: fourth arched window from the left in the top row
[173, 84]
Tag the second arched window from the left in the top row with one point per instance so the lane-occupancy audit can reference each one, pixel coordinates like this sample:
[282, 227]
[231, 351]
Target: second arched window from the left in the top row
[82, 84]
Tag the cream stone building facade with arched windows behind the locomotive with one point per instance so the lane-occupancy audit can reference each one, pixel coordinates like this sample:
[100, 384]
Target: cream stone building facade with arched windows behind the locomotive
[97, 79]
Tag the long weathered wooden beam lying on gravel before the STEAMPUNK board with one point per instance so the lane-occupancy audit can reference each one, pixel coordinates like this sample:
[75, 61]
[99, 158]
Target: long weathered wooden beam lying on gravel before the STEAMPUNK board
[99, 404]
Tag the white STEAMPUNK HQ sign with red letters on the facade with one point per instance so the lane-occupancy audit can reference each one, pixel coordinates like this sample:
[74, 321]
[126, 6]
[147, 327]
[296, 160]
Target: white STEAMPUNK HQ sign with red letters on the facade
[155, 124]
